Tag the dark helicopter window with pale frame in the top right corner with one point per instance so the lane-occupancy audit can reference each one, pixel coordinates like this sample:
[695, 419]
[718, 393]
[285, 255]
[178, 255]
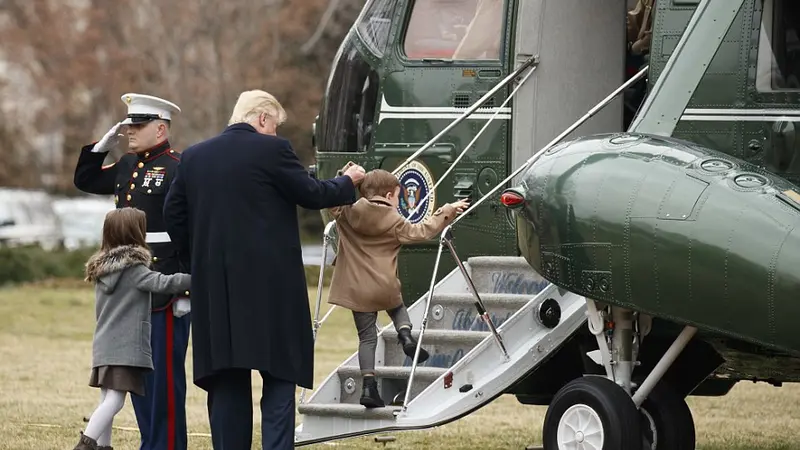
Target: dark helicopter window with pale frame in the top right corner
[779, 46]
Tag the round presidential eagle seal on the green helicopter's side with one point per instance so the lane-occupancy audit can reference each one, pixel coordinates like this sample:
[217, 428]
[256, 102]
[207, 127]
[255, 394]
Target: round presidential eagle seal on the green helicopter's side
[416, 184]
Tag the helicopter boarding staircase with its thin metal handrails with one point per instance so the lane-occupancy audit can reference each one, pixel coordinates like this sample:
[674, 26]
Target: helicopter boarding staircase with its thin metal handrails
[521, 320]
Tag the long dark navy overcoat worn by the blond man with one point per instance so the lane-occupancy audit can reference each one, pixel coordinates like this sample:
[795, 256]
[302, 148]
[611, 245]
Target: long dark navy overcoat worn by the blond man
[232, 211]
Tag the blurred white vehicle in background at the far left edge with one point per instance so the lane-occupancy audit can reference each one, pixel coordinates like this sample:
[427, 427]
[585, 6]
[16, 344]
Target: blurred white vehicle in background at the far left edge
[28, 217]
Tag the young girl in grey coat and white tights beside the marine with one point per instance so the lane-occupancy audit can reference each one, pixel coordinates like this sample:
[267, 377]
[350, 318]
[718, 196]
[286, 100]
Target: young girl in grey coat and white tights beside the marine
[121, 352]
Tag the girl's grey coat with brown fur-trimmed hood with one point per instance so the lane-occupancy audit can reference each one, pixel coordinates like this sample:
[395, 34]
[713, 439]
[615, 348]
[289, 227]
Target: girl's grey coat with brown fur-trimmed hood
[123, 283]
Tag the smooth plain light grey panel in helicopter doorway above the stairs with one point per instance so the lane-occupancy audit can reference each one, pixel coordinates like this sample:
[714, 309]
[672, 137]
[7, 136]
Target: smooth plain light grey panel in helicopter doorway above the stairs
[581, 49]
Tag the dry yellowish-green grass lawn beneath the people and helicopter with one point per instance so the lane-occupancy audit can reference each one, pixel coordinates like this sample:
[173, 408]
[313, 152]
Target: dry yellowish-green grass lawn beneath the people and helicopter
[45, 349]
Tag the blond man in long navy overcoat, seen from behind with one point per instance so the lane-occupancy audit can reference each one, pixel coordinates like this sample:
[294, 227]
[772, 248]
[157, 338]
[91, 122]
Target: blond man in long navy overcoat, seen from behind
[233, 208]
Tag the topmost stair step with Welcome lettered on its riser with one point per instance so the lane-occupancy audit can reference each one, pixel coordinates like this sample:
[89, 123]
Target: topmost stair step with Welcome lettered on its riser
[505, 275]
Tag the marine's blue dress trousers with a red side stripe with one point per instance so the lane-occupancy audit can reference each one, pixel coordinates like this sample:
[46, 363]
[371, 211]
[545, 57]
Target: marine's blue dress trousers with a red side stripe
[161, 413]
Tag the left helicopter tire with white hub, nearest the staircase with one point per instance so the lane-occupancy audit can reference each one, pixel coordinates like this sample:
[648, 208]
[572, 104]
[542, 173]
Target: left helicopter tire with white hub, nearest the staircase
[593, 410]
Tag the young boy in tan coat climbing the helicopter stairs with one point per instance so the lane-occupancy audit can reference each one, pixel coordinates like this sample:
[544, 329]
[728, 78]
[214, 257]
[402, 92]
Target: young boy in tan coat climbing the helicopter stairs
[365, 281]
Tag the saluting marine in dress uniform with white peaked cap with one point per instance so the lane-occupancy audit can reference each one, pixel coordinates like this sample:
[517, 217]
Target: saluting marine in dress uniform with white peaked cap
[141, 179]
